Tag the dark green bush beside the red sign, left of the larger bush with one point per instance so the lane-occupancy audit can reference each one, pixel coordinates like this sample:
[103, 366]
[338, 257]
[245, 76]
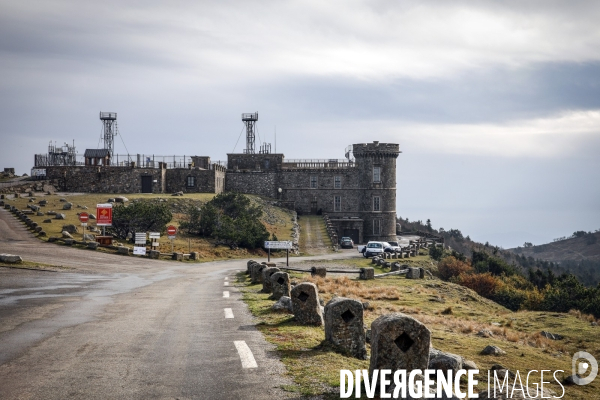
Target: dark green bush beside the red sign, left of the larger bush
[139, 216]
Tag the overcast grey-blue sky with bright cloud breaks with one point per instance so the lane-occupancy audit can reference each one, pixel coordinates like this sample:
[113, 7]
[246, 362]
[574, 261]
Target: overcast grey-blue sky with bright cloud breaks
[495, 105]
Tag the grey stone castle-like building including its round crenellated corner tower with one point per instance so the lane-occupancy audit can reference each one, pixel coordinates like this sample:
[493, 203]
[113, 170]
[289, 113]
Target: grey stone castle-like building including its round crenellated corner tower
[358, 195]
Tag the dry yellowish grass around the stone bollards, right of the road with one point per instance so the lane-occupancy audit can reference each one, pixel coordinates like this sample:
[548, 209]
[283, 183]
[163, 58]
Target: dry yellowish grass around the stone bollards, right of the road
[454, 315]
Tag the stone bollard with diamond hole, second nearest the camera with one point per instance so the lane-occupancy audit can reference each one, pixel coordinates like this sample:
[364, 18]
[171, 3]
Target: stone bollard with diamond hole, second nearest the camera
[344, 326]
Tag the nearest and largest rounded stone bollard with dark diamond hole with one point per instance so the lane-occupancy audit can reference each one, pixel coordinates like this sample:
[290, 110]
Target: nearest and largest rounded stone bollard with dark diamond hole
[399, 342]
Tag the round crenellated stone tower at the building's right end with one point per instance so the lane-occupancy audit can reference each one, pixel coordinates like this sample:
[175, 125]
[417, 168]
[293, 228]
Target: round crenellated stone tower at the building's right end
[376, 164]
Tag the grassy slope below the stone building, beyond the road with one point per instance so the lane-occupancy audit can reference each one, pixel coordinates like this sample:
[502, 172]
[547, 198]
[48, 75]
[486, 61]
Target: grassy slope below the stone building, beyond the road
[276, 220]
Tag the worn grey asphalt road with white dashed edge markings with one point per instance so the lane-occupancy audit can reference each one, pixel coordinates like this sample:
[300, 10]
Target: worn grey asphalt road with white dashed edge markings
[128, 328]
